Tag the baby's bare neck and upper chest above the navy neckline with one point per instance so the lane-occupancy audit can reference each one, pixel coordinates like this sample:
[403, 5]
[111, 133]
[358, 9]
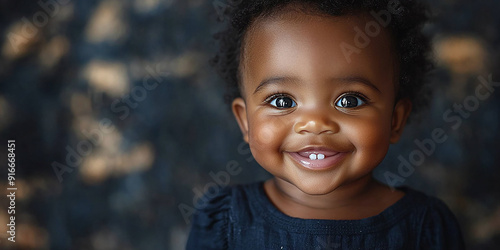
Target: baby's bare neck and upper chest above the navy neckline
[362, 199]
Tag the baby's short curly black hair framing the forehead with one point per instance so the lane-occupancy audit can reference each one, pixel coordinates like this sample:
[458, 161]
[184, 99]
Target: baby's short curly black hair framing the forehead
[411, 45]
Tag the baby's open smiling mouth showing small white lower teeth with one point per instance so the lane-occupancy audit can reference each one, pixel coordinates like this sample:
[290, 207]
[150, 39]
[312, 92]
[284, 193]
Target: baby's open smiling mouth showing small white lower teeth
[317, 158]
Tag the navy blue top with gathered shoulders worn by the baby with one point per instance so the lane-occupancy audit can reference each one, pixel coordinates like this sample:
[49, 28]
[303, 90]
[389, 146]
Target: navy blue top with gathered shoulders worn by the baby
[243, 217]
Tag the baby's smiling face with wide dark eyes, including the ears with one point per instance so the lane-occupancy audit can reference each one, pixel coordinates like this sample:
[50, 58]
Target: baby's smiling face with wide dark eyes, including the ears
[312, 118]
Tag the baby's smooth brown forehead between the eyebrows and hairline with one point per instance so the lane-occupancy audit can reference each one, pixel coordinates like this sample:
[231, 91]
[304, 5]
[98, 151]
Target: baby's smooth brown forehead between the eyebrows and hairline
[278, 45]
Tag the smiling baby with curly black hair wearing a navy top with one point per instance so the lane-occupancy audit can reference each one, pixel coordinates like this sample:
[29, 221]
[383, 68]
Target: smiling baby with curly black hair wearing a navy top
[320, 89]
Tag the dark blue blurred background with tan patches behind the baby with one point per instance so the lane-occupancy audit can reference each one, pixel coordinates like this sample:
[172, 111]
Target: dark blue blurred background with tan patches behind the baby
[120, 123]
